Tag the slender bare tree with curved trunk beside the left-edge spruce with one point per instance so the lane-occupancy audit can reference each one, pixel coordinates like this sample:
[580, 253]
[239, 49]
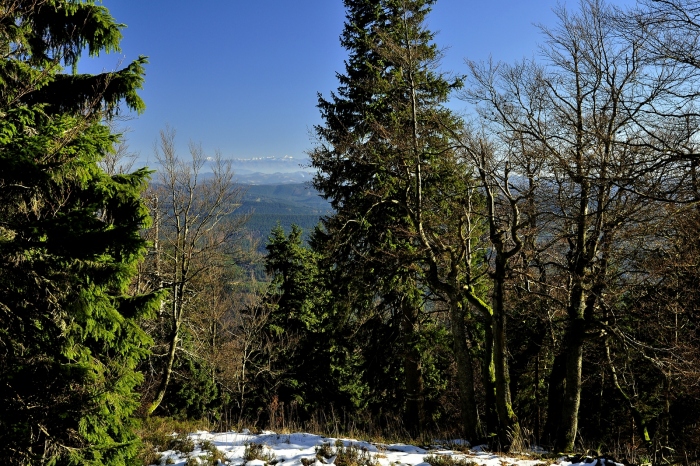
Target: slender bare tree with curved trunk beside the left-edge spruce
[194, 230]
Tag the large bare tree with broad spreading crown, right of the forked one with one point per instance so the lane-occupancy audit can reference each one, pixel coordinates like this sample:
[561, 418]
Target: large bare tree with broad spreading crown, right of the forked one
[591, 114]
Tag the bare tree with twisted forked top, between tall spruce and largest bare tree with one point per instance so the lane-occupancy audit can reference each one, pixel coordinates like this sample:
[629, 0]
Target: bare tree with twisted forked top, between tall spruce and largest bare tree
[508, 171]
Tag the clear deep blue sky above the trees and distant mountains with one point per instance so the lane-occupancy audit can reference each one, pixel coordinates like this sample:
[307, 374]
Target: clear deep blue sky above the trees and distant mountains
[242, 76]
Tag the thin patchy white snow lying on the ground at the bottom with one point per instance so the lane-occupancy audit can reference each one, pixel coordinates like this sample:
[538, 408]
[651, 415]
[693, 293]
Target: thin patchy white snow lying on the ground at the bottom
[291, 449]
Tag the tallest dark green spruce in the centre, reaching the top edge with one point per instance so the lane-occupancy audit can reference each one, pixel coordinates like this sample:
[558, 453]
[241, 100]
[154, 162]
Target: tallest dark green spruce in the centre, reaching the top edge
[386, 165]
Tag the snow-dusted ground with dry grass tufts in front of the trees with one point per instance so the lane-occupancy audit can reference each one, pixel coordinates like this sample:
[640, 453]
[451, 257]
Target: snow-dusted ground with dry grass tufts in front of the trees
[301, 449]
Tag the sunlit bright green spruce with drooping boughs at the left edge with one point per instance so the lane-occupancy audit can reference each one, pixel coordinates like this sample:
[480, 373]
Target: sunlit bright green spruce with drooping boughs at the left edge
[69, 242]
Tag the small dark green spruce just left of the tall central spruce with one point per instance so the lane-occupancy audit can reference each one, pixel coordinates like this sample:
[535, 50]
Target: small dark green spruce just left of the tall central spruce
[315, 365]
